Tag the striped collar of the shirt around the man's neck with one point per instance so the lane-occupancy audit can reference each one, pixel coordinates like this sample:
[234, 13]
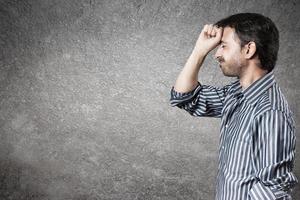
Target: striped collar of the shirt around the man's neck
[258, 87]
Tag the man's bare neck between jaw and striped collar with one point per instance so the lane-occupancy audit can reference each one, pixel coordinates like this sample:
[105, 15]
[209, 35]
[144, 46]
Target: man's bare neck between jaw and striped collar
[250, 75]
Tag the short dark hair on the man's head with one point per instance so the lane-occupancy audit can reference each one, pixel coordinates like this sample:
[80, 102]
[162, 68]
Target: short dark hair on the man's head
[259, 29]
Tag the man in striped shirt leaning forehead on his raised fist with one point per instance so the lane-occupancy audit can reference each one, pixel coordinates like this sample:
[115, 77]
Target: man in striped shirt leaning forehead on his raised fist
[257, 139]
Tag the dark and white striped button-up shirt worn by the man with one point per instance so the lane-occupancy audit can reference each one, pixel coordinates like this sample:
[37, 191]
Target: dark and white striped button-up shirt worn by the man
[257, 137]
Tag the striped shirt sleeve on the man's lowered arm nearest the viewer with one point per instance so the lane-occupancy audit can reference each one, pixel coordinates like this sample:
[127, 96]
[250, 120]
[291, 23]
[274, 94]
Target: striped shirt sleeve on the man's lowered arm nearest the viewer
[273, 145]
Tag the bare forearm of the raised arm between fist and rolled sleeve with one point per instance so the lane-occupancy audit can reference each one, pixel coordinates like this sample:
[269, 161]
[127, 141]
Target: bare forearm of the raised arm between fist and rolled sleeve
[187, 80]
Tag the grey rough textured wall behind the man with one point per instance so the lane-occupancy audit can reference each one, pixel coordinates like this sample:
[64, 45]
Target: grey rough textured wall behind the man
[84, 91]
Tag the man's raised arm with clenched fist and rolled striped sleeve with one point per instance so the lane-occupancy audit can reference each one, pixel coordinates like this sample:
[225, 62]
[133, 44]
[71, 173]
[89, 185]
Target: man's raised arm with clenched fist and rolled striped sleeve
[188, 93]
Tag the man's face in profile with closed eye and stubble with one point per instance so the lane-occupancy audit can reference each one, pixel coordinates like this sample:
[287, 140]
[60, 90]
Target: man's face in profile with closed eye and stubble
[229, 54]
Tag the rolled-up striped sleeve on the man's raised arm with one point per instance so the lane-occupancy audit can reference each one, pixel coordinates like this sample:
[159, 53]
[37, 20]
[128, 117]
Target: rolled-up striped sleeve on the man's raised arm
[203, 101]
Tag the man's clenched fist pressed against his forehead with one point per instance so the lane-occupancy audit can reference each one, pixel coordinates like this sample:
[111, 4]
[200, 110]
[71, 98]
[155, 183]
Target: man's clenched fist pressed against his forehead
[209, 39]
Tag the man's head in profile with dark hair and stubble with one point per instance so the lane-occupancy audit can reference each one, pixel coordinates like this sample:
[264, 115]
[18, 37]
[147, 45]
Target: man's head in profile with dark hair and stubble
[257, 37]
